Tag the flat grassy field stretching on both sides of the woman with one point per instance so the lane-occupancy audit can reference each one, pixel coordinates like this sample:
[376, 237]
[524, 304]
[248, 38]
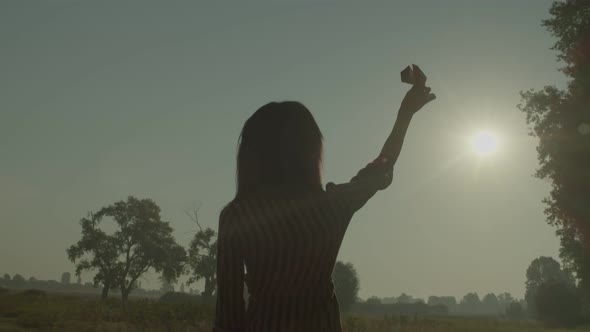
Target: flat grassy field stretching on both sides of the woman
[36, 311]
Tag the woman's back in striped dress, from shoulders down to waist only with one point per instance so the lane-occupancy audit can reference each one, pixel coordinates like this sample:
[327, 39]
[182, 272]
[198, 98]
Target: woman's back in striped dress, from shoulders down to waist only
[291, 244]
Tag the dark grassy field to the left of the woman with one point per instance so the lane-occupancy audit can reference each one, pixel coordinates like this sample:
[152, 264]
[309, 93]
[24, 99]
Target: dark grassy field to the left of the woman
[40, 312]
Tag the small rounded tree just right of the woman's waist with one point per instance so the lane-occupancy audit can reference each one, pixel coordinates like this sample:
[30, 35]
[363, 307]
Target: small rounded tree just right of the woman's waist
[346, 284]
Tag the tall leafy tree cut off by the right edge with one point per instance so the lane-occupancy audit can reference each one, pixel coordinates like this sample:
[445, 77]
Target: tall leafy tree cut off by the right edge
[560, 119]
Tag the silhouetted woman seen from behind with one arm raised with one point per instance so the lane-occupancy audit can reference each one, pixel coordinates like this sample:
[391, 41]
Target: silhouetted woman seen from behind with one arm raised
[284, 227]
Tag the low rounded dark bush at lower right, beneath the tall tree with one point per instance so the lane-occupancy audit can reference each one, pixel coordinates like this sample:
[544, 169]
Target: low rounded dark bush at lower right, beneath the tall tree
[557, 304]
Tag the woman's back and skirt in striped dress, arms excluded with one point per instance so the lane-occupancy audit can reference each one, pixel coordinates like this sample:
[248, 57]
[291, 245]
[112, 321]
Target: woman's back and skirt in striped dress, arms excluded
[289, 249]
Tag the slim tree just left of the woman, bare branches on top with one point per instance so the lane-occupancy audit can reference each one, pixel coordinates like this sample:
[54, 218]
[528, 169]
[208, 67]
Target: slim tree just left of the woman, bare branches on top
[202, 256]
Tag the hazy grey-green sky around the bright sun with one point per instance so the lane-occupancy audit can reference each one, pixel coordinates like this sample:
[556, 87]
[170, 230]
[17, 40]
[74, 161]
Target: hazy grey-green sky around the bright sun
[104, 99]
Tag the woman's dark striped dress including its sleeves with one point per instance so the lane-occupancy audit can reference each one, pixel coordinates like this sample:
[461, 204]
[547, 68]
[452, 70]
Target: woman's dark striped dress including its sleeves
[285, 249]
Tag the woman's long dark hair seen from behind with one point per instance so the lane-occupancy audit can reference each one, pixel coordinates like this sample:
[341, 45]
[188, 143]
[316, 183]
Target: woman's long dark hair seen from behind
[280, 152]
